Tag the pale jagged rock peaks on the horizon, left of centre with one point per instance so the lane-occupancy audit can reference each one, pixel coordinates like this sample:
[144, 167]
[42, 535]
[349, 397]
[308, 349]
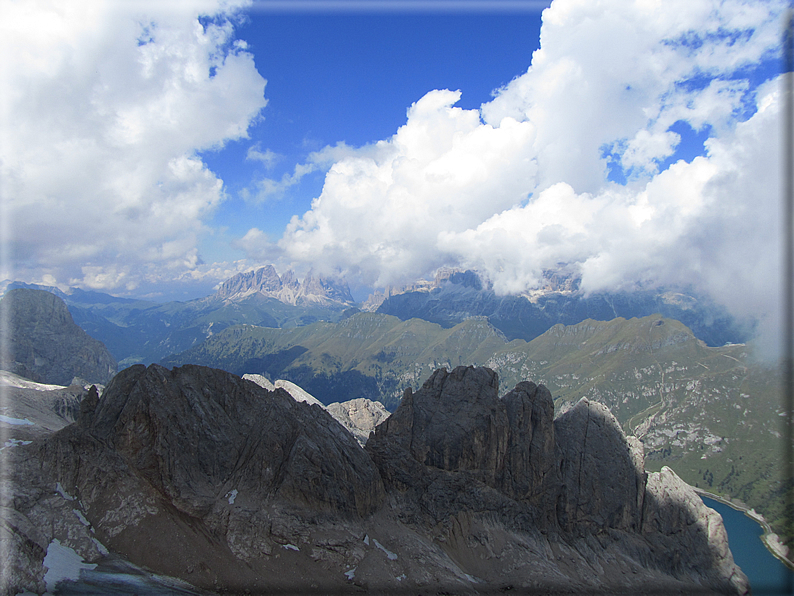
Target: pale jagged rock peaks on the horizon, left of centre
[286, 288]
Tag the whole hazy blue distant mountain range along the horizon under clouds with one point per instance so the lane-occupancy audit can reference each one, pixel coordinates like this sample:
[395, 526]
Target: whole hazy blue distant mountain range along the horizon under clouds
[139, 331]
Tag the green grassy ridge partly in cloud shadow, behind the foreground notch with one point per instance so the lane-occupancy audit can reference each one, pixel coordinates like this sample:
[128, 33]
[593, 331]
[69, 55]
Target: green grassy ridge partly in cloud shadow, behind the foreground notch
[366, 355]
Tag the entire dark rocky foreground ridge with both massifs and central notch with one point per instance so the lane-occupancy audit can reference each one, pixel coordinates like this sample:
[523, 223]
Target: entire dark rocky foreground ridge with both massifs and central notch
[198, 474]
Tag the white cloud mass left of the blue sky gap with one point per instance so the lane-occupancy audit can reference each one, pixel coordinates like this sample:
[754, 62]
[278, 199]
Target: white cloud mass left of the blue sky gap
[104, 109]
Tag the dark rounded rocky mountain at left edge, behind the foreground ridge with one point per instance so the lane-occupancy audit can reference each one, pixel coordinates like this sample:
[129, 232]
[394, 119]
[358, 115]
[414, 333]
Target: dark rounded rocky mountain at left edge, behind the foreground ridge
[45, 344]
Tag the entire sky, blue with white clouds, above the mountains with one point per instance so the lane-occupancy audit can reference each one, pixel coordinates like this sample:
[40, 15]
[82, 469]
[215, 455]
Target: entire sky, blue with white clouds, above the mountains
[155, 149]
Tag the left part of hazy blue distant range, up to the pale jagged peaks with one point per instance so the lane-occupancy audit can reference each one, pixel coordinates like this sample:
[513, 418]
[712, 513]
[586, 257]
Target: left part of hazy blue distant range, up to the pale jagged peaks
[139, 331]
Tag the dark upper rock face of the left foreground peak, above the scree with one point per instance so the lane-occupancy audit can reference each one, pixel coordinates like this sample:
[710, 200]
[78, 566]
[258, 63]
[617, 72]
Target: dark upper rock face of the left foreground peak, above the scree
[192, 432]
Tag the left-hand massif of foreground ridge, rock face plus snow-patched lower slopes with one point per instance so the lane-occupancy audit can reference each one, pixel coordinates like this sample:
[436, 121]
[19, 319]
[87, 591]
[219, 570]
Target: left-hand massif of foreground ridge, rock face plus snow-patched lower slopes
[194, 473]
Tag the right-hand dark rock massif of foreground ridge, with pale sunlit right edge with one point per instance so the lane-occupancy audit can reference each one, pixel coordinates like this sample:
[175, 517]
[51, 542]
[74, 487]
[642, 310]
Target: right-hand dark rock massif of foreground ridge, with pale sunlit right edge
[455, 449]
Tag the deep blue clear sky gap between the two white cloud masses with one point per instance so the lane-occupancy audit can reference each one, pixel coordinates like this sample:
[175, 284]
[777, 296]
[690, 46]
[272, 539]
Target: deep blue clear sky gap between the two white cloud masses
[349, 76]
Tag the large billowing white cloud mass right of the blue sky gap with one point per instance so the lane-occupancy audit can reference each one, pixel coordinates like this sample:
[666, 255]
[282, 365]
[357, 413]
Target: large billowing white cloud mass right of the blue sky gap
[528, 181]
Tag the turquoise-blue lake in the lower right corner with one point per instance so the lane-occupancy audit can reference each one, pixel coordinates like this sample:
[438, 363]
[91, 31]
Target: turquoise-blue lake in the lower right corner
[767, 575]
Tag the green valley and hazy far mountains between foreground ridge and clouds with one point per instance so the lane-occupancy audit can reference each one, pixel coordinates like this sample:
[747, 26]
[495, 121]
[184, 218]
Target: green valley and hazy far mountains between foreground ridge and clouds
[702, 407]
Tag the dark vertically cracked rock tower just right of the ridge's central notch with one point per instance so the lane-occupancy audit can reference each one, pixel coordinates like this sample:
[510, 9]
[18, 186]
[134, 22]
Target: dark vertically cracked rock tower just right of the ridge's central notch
[457, 423]
